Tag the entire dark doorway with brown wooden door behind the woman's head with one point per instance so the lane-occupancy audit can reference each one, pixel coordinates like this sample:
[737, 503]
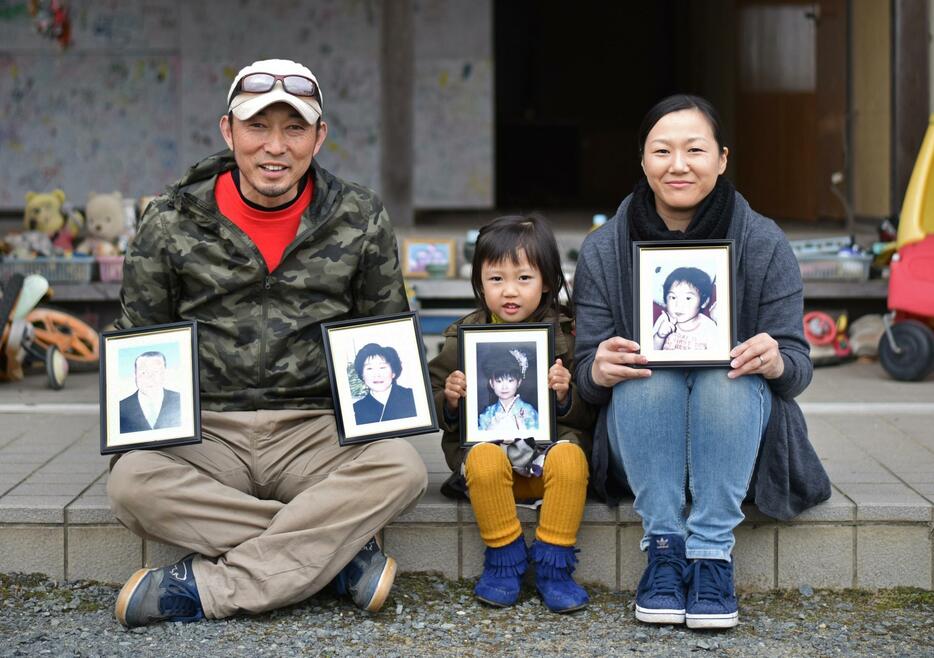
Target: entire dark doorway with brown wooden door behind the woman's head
[574, 80]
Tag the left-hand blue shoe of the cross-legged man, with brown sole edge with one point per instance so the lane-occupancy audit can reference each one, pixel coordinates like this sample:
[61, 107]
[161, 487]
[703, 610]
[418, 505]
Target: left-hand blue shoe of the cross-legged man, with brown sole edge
[165, 594]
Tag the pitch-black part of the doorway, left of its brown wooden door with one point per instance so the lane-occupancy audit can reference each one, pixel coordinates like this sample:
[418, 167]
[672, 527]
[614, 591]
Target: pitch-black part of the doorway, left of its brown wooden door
[572, 84]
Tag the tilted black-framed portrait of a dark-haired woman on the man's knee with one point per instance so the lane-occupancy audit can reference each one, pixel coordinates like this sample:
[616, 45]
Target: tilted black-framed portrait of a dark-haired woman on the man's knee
[379, 378]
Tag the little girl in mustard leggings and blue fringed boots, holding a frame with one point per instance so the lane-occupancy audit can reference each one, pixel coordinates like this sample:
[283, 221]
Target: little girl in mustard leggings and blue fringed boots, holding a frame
[517, 278]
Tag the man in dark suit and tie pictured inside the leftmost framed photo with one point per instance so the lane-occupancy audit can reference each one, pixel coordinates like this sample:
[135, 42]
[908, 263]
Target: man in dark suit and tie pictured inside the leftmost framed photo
[152, 406]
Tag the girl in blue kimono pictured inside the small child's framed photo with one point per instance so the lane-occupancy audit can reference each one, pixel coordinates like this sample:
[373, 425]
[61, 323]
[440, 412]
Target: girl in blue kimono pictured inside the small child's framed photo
[507, 368]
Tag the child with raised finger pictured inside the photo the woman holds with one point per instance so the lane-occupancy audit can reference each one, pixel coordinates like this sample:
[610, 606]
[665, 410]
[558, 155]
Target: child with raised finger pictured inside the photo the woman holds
[684, 323]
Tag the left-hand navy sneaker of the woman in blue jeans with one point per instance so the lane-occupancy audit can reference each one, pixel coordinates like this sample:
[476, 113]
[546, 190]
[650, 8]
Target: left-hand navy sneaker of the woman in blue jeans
[660, 597]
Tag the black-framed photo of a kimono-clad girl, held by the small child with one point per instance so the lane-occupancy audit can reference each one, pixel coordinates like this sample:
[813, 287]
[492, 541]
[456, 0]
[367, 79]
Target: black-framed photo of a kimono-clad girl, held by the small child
[506, 366]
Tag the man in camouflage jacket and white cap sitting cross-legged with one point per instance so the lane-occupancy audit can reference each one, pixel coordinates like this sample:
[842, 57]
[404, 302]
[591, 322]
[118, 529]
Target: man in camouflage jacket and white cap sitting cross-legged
[260, 245]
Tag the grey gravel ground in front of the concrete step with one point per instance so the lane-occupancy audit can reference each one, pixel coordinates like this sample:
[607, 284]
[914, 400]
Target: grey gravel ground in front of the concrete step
[429, 616]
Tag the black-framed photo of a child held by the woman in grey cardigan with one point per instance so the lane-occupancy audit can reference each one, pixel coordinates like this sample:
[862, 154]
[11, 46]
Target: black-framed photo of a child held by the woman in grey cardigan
[685, 309]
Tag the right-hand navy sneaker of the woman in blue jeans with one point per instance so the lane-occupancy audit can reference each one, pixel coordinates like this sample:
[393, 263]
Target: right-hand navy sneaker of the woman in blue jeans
[711, 599]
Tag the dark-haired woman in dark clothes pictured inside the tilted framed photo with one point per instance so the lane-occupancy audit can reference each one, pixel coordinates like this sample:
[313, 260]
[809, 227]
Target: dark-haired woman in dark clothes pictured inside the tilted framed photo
[378, 367]
